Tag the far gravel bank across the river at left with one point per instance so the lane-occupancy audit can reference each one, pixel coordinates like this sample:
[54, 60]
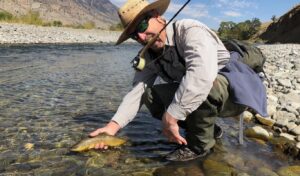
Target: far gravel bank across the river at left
[30, 34]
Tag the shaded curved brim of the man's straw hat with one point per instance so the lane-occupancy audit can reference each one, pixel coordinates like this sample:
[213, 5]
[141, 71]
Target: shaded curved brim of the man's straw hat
[160, 6]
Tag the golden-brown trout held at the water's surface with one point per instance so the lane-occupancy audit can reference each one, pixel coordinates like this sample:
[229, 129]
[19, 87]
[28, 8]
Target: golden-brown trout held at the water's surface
[89, 143]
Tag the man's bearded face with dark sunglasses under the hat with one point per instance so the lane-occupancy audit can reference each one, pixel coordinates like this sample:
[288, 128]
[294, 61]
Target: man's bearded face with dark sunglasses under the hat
[147, 29]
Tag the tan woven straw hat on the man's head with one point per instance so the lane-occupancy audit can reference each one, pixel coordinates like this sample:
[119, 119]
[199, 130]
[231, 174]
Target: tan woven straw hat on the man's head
[133, 10]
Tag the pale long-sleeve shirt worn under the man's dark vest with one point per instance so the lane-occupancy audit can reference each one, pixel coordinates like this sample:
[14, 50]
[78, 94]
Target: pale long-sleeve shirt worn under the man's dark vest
[204, 55]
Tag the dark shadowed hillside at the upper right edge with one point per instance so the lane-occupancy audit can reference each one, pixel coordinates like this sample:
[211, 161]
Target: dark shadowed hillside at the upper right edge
[285, 29]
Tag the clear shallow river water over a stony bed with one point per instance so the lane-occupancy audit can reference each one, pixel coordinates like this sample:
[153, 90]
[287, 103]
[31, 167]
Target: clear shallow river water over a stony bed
[53, 96]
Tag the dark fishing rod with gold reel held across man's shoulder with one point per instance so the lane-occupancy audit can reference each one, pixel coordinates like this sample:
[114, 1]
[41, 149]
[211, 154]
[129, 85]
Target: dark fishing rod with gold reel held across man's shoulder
[139, 62]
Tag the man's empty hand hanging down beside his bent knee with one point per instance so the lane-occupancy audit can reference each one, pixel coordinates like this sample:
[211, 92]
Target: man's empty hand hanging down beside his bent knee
[171, 129]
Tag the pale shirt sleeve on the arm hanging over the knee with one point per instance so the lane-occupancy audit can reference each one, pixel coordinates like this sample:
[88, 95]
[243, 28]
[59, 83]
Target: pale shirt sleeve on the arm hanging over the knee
[200, 53]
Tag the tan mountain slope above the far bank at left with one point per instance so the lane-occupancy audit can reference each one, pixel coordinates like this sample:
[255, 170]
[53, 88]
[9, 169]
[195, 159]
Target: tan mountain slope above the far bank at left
[70, 12]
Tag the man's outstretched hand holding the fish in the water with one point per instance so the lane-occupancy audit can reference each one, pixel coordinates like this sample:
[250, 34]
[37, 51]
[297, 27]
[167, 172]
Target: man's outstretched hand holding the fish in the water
[111, 128]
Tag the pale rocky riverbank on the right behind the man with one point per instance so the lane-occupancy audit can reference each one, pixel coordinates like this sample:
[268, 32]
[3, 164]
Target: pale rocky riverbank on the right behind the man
[283, 90]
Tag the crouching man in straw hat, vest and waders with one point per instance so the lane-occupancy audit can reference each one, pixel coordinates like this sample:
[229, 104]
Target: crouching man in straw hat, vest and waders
[187, 56]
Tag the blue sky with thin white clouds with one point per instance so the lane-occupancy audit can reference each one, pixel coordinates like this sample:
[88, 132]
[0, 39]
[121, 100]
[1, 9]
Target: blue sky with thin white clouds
[213, 12]
